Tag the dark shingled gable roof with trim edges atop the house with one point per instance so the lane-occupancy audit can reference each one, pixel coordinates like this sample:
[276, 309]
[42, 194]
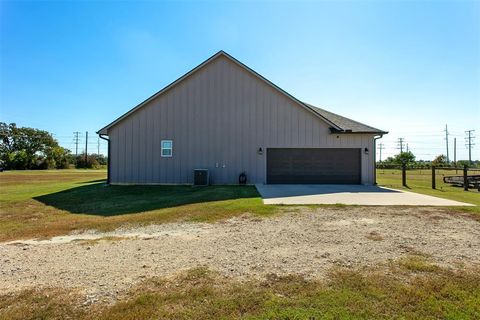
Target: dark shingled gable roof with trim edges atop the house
[322, 114]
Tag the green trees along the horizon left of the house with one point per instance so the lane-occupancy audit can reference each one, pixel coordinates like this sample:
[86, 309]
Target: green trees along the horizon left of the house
[23, 148]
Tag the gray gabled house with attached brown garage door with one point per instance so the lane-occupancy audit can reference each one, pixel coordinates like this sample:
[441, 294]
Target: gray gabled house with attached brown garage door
[225, 117]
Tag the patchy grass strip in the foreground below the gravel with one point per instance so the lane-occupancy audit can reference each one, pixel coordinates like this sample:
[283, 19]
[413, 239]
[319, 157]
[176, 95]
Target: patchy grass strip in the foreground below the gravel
[399, 293]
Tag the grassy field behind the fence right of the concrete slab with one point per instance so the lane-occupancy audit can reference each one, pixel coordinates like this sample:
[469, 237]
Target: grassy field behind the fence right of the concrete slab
[421, 181]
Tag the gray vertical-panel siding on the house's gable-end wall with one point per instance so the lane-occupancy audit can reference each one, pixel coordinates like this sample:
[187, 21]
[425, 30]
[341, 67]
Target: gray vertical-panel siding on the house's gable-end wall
[220, 114]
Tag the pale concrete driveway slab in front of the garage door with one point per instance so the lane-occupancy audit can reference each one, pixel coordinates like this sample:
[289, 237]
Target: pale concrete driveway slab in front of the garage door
[347, 194]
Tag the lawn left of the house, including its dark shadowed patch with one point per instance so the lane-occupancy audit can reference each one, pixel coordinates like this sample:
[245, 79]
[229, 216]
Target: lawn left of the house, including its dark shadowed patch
[39, 204]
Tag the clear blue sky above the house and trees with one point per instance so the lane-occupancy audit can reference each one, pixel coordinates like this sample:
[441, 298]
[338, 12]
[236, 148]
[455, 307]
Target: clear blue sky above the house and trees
[407, 67]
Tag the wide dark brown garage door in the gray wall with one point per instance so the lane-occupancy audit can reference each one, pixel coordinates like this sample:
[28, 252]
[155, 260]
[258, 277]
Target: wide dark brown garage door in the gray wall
[313, 165]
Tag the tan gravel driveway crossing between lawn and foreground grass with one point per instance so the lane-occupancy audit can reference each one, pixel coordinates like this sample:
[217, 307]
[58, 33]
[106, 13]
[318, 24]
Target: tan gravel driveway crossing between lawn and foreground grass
[307, 241]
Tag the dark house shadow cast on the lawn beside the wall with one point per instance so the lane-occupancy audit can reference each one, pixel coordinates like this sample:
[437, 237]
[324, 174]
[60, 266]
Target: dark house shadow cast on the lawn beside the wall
[101, 200]
